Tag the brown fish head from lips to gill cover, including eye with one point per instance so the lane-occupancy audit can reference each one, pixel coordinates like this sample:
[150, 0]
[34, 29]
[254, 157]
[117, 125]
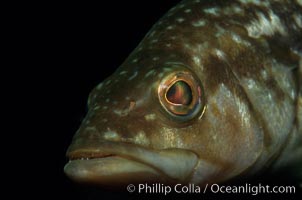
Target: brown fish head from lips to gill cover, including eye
[175, 111]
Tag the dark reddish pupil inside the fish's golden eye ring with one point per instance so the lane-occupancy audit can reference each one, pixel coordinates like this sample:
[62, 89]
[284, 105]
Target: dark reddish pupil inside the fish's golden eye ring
[180, 93]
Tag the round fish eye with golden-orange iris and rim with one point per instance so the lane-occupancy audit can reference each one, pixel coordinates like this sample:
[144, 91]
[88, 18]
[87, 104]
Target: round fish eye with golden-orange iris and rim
[181, 95]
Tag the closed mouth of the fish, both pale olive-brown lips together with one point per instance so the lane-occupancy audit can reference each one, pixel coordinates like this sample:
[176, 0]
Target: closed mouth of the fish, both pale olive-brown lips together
[117, 163]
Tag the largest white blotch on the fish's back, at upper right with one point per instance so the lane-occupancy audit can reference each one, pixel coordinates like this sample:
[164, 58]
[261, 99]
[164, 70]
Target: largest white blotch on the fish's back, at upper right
[265, 26]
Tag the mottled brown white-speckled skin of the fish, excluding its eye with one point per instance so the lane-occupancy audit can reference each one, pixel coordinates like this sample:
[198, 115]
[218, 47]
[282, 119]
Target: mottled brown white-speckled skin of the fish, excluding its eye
[250, 79]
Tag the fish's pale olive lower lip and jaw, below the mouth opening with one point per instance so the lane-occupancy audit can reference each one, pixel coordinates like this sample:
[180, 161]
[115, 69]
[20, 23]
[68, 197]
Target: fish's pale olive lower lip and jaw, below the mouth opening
[112, 171]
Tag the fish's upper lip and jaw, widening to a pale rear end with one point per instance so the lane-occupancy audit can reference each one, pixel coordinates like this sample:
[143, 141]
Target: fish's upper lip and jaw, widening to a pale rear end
[177, 164]
